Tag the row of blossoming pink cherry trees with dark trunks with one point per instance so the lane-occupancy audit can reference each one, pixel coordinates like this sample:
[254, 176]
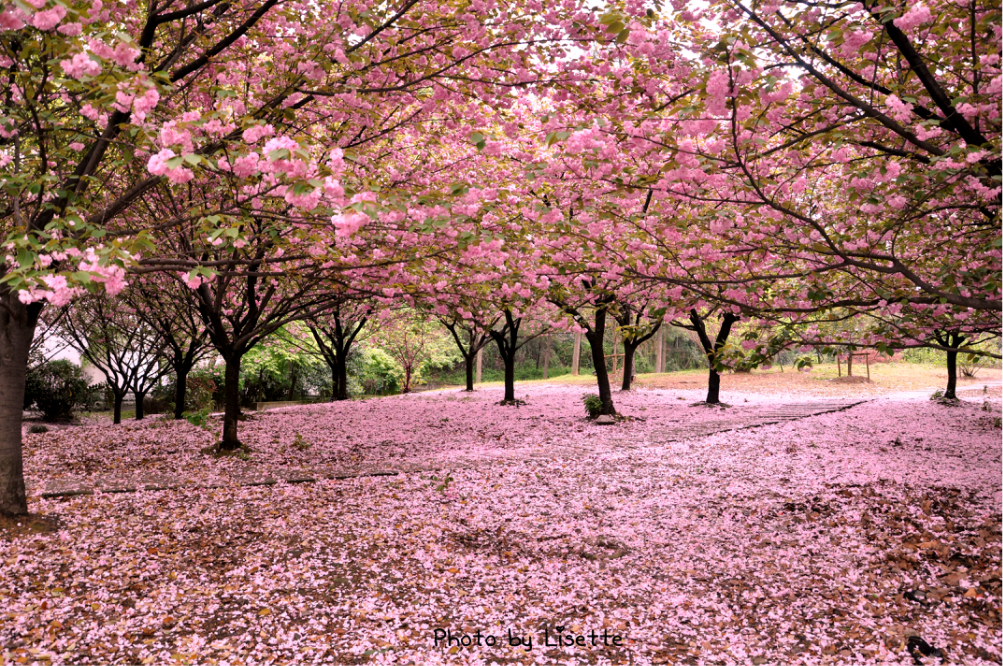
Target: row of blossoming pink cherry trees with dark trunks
[825, 176]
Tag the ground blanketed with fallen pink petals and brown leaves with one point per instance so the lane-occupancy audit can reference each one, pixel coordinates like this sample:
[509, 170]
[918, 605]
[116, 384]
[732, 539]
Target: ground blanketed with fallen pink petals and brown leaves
[788, 529]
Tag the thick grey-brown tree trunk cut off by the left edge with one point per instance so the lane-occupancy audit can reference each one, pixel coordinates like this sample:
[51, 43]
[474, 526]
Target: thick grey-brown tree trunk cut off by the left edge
[18, 328]
